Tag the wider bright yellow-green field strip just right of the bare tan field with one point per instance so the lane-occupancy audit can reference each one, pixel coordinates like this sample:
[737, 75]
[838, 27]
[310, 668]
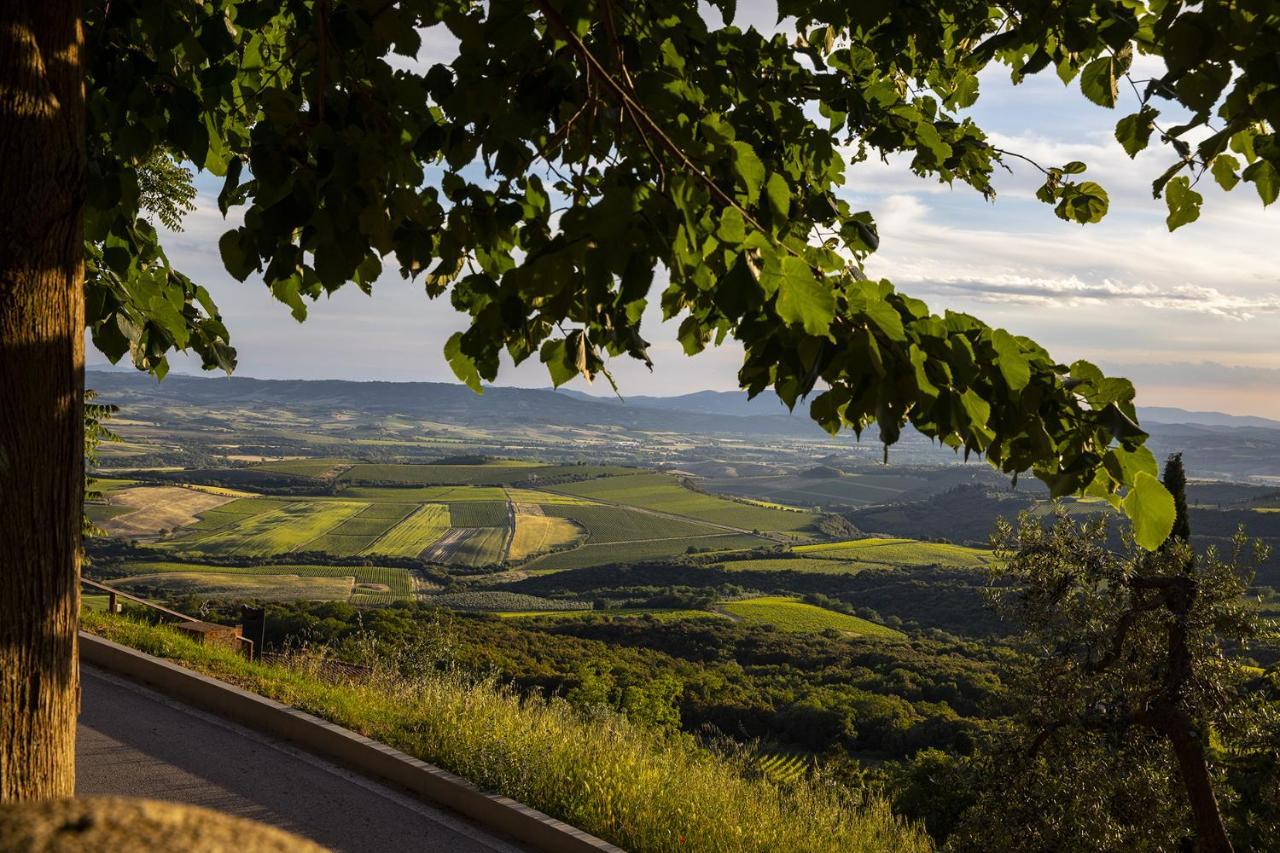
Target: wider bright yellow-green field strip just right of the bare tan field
[289, 528]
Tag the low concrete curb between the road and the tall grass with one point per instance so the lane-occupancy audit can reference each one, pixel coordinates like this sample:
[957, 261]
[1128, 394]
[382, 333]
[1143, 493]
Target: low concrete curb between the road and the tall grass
[346, 747]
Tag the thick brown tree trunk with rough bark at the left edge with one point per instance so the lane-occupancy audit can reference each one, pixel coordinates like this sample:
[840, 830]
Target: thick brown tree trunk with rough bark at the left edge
[42, 393]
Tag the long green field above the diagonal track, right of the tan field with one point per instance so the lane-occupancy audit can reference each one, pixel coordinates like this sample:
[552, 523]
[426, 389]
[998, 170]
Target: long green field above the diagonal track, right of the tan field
[665, 494]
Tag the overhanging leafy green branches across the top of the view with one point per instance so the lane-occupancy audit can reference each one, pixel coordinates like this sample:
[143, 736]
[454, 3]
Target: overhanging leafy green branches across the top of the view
[575, 153]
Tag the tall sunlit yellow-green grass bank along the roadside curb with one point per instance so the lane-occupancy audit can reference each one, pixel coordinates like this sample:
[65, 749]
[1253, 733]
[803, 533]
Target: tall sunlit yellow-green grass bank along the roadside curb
[639, 790]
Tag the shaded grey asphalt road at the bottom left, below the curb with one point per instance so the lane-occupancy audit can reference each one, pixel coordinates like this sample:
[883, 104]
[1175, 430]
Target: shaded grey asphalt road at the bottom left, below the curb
[134, 742]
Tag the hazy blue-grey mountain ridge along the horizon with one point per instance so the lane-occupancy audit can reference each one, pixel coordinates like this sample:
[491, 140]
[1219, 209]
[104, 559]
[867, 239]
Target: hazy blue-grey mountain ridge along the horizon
[1217, 446]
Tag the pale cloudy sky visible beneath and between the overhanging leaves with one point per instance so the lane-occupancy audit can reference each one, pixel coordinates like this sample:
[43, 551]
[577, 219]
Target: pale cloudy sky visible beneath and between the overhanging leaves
[1194, 318]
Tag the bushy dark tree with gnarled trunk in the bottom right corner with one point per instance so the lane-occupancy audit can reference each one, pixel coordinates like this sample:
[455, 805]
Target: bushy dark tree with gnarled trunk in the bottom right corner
[1140, 726]
